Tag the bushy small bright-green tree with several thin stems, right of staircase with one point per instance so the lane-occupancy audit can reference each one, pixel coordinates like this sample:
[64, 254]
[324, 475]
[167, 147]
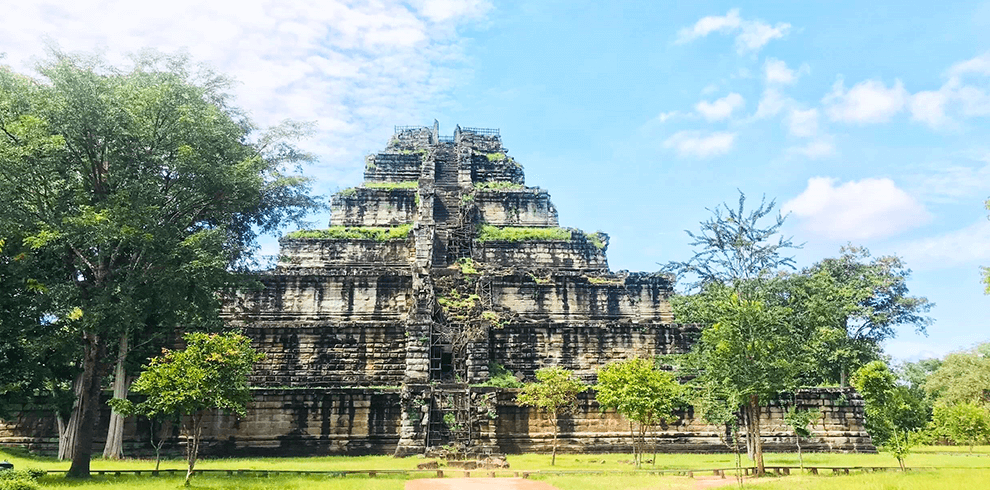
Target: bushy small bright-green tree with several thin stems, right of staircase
[640, 392]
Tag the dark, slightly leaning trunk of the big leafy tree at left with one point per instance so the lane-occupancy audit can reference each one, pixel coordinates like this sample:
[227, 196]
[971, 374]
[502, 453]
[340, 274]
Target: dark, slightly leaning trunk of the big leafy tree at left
[87, 409]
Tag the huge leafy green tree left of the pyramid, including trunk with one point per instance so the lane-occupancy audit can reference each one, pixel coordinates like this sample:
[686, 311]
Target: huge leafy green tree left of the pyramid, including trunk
[149, 188]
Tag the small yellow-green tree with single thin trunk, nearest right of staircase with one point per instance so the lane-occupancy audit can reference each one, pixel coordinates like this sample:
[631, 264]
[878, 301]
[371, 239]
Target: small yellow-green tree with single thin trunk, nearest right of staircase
[555, 394]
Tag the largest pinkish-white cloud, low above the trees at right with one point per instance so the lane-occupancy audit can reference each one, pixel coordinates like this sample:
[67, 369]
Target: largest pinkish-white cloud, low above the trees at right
[856, 210]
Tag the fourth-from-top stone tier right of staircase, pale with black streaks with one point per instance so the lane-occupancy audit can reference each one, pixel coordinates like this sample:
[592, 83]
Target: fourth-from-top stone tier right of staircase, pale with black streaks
[575, 297]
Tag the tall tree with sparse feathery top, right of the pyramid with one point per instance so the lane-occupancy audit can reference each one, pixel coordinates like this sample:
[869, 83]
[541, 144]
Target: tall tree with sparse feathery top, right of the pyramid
[751, 347]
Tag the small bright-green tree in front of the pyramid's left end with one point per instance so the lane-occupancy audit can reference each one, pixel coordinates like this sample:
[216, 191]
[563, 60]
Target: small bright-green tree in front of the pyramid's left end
[210, 373]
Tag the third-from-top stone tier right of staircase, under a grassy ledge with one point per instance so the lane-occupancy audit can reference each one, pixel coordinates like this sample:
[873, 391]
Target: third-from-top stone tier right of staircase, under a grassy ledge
[573, 255]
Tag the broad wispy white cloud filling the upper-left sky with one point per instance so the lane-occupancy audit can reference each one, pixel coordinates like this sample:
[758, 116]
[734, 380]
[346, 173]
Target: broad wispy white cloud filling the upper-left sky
[354, 68]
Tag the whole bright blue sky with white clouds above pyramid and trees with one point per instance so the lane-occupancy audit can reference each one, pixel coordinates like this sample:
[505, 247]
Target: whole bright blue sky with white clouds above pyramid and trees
[867, 121]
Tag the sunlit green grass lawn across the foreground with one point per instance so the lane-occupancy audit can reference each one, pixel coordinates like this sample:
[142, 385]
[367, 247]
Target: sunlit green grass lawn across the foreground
[957, 469]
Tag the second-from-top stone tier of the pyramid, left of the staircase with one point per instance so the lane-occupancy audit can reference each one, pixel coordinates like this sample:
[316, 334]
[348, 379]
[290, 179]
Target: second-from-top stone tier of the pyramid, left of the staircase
[363, 206]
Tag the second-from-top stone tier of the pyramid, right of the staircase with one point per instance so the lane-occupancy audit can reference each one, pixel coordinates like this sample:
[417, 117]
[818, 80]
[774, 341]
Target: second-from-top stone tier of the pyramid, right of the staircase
[525, 207]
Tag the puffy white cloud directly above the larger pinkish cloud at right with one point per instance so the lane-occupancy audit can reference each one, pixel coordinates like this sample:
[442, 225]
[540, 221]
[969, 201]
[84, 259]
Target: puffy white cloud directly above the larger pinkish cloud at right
[869, 101]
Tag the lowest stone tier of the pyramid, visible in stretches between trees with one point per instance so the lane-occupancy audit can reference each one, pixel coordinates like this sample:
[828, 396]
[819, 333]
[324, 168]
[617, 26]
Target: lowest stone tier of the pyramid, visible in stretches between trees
[311, 422]
